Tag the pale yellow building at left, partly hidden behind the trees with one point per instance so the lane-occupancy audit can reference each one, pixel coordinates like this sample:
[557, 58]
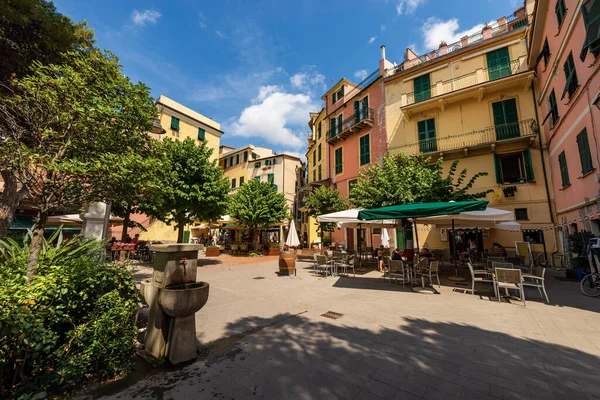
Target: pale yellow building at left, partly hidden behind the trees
[180, 122]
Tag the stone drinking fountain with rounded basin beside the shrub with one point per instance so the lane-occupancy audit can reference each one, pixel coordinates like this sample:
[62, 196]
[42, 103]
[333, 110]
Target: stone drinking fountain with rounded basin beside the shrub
[174, 297]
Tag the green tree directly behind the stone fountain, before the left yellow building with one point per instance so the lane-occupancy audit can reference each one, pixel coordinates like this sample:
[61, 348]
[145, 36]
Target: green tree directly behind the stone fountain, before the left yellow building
[194, 187]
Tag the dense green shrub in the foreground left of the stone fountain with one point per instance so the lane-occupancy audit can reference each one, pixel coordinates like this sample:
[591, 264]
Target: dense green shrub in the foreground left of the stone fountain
[75, 320]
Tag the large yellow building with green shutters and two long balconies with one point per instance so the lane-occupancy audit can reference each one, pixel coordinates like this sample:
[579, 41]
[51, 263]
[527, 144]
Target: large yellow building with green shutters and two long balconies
[473, 100]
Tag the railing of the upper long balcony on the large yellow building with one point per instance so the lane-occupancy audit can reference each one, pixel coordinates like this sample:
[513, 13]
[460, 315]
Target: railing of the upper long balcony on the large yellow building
[480, 75]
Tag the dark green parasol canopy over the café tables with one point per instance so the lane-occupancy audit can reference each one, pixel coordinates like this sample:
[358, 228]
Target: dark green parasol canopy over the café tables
[421, 210]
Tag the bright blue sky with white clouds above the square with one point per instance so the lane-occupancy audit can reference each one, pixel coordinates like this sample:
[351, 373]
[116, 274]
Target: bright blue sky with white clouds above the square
[259, 66]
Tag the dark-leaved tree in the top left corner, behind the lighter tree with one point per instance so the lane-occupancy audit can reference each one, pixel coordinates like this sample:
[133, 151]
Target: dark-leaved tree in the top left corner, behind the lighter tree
[31, 30]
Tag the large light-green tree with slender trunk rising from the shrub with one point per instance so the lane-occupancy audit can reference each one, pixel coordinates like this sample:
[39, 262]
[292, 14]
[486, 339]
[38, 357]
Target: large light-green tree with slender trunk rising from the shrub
[68, 130]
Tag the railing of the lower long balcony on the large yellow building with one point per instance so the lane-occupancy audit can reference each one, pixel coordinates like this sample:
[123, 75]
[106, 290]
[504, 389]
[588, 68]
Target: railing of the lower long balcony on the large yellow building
[492, 134]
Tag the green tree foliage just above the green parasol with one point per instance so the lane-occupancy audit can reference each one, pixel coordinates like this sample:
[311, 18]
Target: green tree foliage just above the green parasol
[412, 178]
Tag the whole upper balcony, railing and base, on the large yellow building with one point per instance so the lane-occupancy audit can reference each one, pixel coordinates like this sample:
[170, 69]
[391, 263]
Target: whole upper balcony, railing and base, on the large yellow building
[475, 84]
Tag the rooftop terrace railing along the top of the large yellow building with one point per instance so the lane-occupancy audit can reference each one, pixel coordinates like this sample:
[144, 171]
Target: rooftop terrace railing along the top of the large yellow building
[512, 23]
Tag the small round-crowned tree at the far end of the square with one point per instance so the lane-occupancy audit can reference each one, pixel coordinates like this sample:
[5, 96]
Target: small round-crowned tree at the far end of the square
[257, 205]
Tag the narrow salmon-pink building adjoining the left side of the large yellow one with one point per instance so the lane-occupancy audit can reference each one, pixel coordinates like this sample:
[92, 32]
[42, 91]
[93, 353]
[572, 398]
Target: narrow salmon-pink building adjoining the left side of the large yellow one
[356, 138]
